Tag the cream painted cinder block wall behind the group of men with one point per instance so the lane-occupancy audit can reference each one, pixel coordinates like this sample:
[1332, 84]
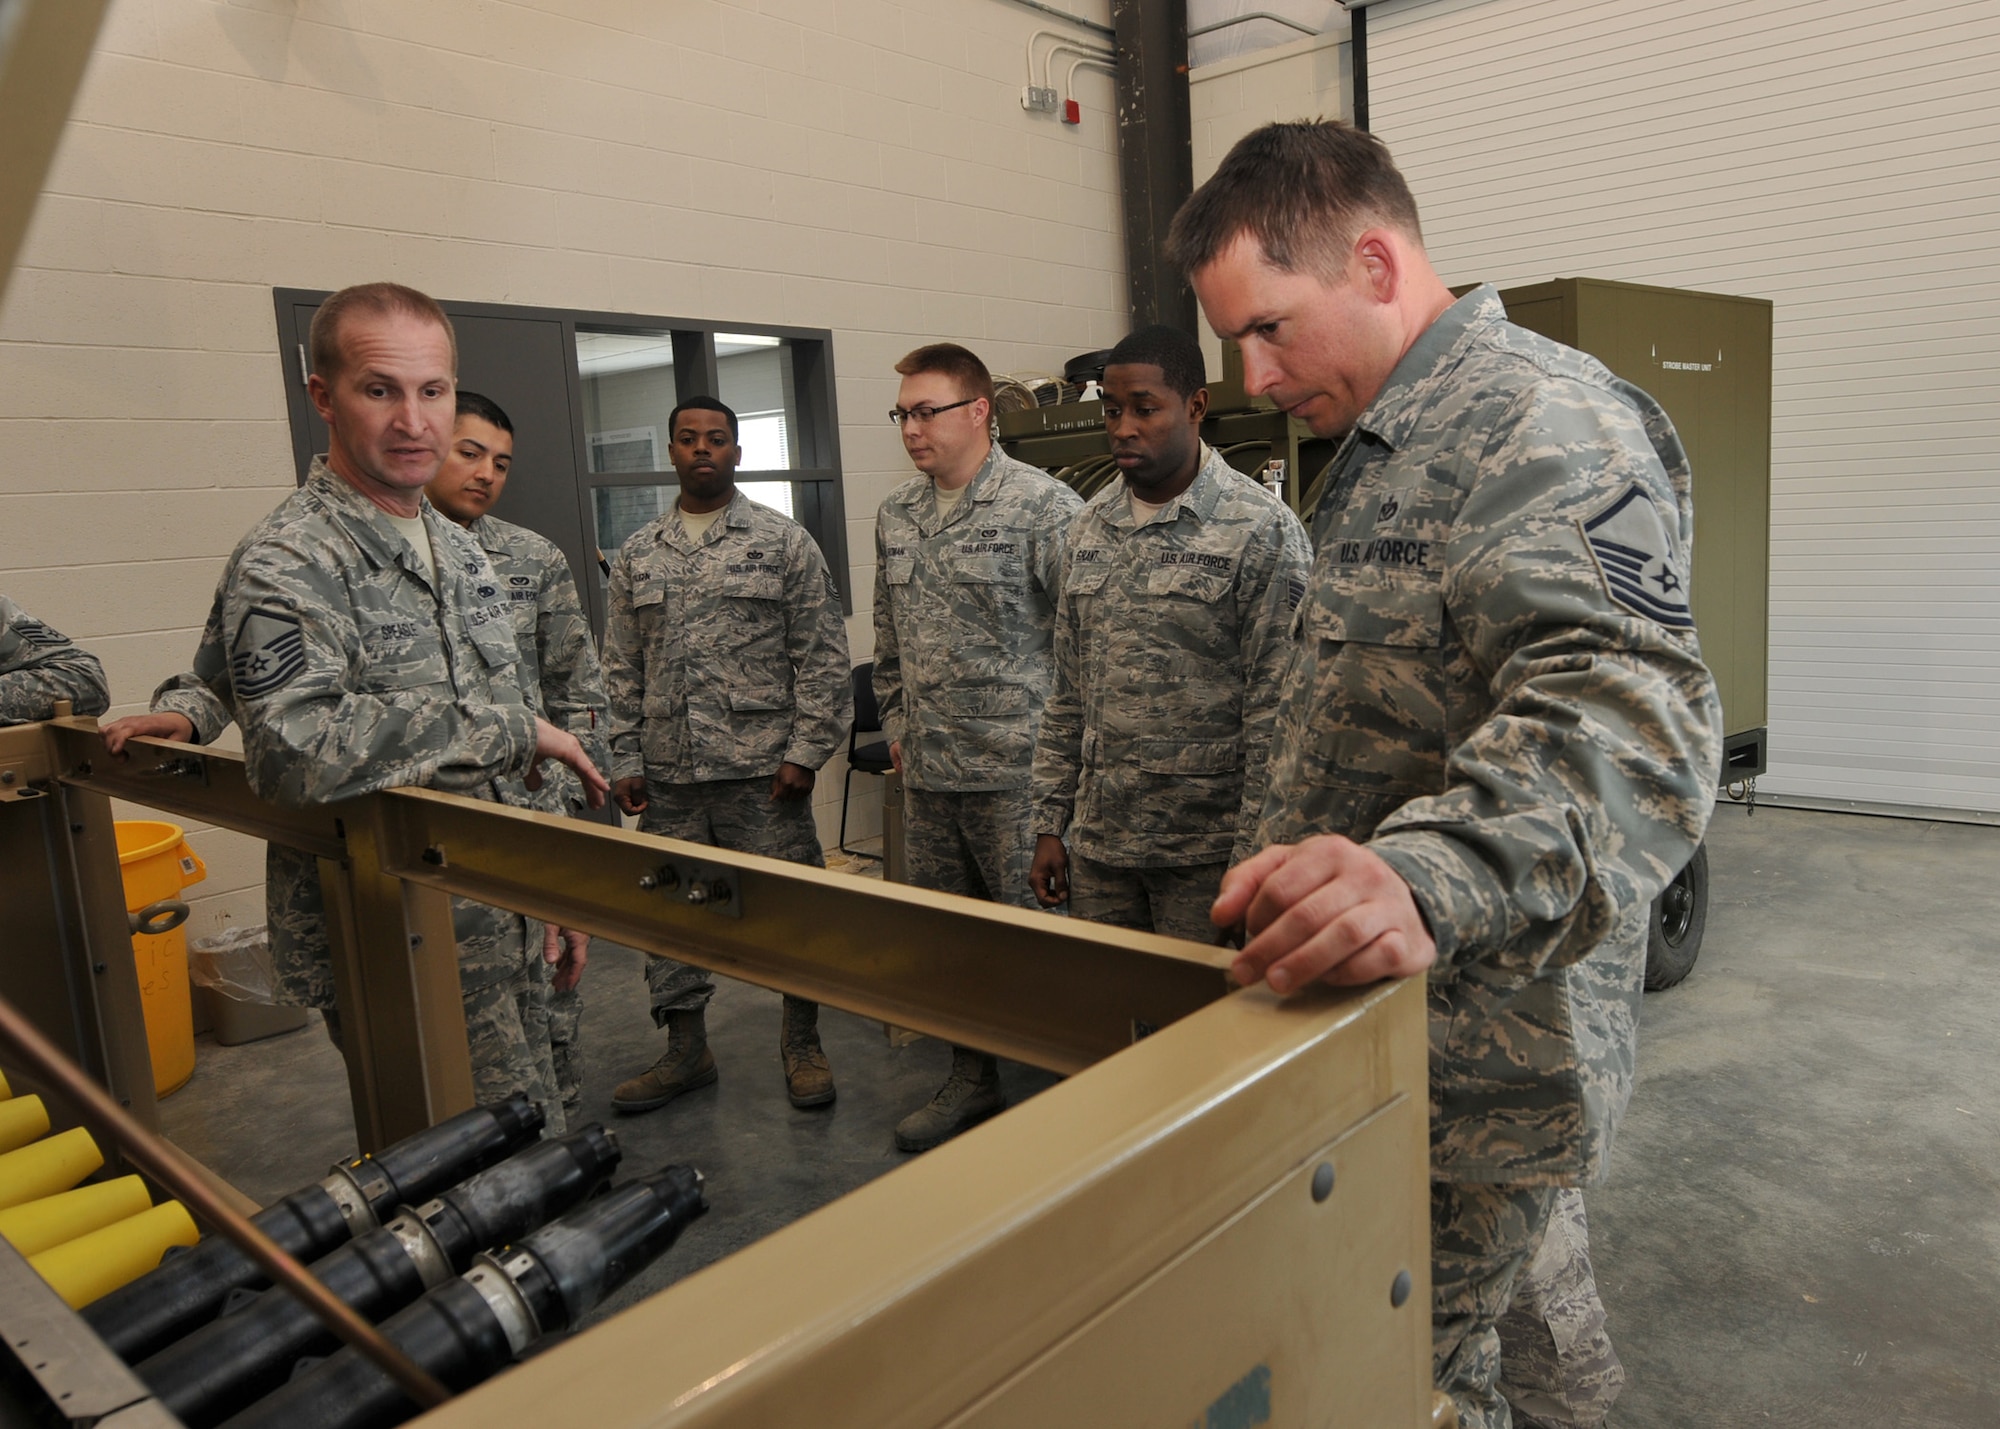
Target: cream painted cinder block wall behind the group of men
[855, 165]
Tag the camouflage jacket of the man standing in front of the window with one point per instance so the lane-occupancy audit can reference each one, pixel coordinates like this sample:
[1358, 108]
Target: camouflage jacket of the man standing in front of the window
[725, 657]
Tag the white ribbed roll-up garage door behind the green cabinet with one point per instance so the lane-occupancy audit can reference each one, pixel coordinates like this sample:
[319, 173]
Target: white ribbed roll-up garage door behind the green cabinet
[1845, 163]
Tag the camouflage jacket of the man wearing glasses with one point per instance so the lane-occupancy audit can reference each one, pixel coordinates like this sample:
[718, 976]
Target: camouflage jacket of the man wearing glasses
[965, 623]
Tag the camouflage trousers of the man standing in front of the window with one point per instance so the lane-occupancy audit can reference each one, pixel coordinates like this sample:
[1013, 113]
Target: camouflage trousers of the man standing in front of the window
[727, 814]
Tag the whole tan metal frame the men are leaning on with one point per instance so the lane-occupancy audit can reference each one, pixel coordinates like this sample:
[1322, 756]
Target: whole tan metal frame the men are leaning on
[1143, 1244]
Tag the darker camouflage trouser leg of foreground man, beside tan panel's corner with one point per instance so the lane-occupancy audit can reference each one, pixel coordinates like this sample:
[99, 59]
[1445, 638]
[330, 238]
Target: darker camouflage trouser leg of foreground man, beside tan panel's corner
[1481, 1242]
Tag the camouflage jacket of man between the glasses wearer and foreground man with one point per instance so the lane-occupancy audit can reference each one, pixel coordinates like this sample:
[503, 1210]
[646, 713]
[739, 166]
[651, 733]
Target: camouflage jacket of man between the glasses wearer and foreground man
[1171, 645]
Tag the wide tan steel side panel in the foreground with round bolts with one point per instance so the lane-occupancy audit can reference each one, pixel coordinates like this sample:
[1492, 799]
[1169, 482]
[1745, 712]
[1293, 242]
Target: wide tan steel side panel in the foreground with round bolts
[1127, 1248]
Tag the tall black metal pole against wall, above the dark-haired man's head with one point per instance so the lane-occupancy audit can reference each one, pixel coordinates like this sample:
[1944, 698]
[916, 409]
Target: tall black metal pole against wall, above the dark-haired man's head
[1155, 151]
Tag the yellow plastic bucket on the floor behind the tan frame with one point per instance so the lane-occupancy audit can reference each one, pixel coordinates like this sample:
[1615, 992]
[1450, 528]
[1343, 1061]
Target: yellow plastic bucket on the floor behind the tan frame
[157, 866]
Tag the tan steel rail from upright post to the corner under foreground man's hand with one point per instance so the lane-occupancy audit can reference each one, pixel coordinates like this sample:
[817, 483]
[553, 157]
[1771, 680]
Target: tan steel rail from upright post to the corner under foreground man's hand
[1049, 992]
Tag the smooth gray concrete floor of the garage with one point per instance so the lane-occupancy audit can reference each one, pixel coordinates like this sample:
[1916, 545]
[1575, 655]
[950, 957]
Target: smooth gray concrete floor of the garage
[1803, 1222]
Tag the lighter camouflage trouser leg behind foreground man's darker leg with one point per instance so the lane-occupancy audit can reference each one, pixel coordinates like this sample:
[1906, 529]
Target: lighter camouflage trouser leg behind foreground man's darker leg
[1559, 1368]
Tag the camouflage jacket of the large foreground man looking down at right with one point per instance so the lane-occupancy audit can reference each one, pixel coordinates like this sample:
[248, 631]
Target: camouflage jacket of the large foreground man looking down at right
[1499, 689]
